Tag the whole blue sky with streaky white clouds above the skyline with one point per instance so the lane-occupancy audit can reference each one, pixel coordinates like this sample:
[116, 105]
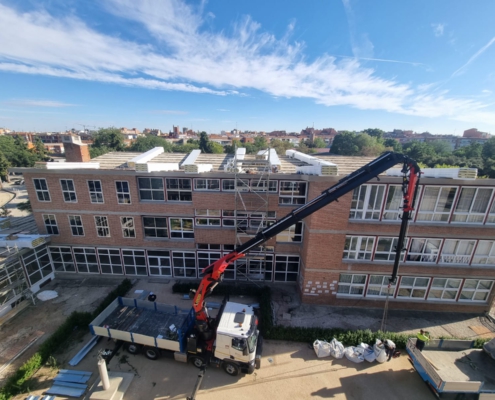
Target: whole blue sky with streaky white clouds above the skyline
[255, 65]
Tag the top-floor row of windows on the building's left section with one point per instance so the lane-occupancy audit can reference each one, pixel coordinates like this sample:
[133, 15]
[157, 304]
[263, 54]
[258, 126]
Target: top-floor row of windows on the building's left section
[171, 189]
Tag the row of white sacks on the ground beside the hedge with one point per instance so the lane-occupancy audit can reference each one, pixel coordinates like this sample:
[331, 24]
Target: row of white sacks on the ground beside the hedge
[356, 354]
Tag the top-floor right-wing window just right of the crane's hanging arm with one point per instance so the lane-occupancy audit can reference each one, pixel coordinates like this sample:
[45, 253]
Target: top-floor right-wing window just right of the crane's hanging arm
[436, 204]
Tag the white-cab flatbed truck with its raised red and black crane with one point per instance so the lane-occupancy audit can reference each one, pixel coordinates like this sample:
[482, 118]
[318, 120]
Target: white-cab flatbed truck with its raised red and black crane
[231, 340]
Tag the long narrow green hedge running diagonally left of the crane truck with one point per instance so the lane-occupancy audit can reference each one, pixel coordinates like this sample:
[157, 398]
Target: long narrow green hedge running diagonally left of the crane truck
[18, 382]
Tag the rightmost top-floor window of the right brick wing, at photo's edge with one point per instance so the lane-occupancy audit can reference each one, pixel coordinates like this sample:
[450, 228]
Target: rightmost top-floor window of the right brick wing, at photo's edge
[472, 205]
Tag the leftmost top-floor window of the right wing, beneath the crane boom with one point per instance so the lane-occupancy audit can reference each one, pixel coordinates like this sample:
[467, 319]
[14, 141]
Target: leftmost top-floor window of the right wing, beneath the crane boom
[367, 202]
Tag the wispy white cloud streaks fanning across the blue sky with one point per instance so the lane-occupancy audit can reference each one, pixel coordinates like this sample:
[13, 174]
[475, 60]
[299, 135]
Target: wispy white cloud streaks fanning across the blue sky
[186, 57]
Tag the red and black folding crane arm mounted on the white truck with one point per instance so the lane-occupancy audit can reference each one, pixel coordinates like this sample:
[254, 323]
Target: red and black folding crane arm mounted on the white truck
[213, 273]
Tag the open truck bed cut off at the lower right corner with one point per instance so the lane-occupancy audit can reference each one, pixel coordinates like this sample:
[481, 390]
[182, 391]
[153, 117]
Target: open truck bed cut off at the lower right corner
[454, 368]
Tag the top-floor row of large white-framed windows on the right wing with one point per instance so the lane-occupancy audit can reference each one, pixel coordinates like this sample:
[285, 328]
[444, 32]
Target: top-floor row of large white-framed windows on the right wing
[447, 204]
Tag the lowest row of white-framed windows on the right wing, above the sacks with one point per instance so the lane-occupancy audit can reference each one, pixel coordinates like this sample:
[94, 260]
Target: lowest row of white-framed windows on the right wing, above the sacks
[415, 288]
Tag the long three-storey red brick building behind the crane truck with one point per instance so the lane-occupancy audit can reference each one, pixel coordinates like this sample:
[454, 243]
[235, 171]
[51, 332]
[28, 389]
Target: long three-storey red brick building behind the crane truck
[123, 221]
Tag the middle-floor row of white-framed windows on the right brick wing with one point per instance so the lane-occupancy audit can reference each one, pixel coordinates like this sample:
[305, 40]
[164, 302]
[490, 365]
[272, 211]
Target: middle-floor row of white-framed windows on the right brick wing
[421, 250]
